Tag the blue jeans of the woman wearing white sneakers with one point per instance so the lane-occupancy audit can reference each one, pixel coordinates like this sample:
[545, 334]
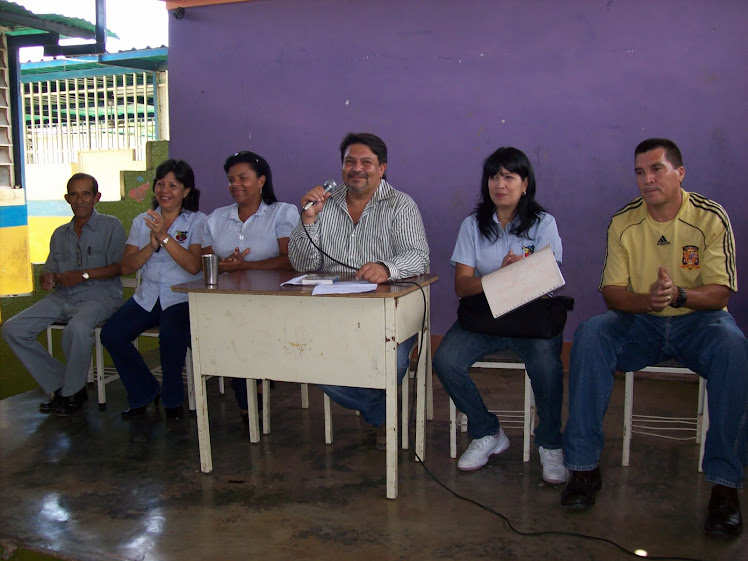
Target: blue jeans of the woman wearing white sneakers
[460, 349]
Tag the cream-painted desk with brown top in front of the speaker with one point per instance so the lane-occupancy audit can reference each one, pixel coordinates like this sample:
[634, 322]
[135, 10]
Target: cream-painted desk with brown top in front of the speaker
[250, 327]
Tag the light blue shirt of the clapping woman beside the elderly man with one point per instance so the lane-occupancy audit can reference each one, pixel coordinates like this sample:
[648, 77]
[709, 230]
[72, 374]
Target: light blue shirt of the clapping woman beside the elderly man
[161, 272]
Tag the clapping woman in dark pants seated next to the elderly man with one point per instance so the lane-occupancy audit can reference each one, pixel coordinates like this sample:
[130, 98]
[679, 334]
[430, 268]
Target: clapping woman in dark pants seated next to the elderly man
[164, 245]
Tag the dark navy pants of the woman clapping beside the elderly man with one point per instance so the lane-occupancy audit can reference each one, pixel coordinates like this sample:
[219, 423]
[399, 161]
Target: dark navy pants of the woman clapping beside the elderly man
[174, 337]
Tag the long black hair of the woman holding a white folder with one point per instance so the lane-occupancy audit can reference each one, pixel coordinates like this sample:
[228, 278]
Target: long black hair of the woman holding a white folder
[528, 209]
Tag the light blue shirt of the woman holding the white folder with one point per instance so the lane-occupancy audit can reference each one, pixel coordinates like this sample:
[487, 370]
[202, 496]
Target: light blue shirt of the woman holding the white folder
[475, 251]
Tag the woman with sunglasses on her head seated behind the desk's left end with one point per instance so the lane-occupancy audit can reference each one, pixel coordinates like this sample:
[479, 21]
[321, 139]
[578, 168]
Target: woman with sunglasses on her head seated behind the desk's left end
[253, 232]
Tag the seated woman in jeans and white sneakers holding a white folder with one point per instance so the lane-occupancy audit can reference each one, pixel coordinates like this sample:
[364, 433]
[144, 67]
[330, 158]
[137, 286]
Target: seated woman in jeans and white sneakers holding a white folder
[507, 225]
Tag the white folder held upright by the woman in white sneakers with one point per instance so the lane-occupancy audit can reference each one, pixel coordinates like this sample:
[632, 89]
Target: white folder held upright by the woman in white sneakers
[521, 282]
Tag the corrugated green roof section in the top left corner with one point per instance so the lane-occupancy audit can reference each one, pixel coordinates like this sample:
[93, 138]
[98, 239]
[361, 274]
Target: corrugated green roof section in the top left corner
[17, 20]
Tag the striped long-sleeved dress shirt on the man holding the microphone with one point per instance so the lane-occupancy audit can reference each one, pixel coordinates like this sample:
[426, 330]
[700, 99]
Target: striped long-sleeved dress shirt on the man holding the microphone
[390, 231]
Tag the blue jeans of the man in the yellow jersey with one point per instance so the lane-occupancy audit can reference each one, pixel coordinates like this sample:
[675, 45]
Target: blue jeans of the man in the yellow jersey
[708, 343]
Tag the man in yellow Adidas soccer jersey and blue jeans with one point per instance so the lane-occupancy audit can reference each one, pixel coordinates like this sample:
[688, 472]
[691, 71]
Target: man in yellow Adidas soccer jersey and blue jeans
[669, 272]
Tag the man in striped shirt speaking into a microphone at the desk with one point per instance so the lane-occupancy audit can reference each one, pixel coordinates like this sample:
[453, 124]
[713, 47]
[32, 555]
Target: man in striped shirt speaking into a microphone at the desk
[366, 226]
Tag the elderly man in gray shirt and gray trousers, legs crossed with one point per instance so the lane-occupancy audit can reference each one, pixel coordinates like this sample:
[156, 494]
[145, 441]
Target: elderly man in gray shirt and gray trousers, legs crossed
[83, 272]
